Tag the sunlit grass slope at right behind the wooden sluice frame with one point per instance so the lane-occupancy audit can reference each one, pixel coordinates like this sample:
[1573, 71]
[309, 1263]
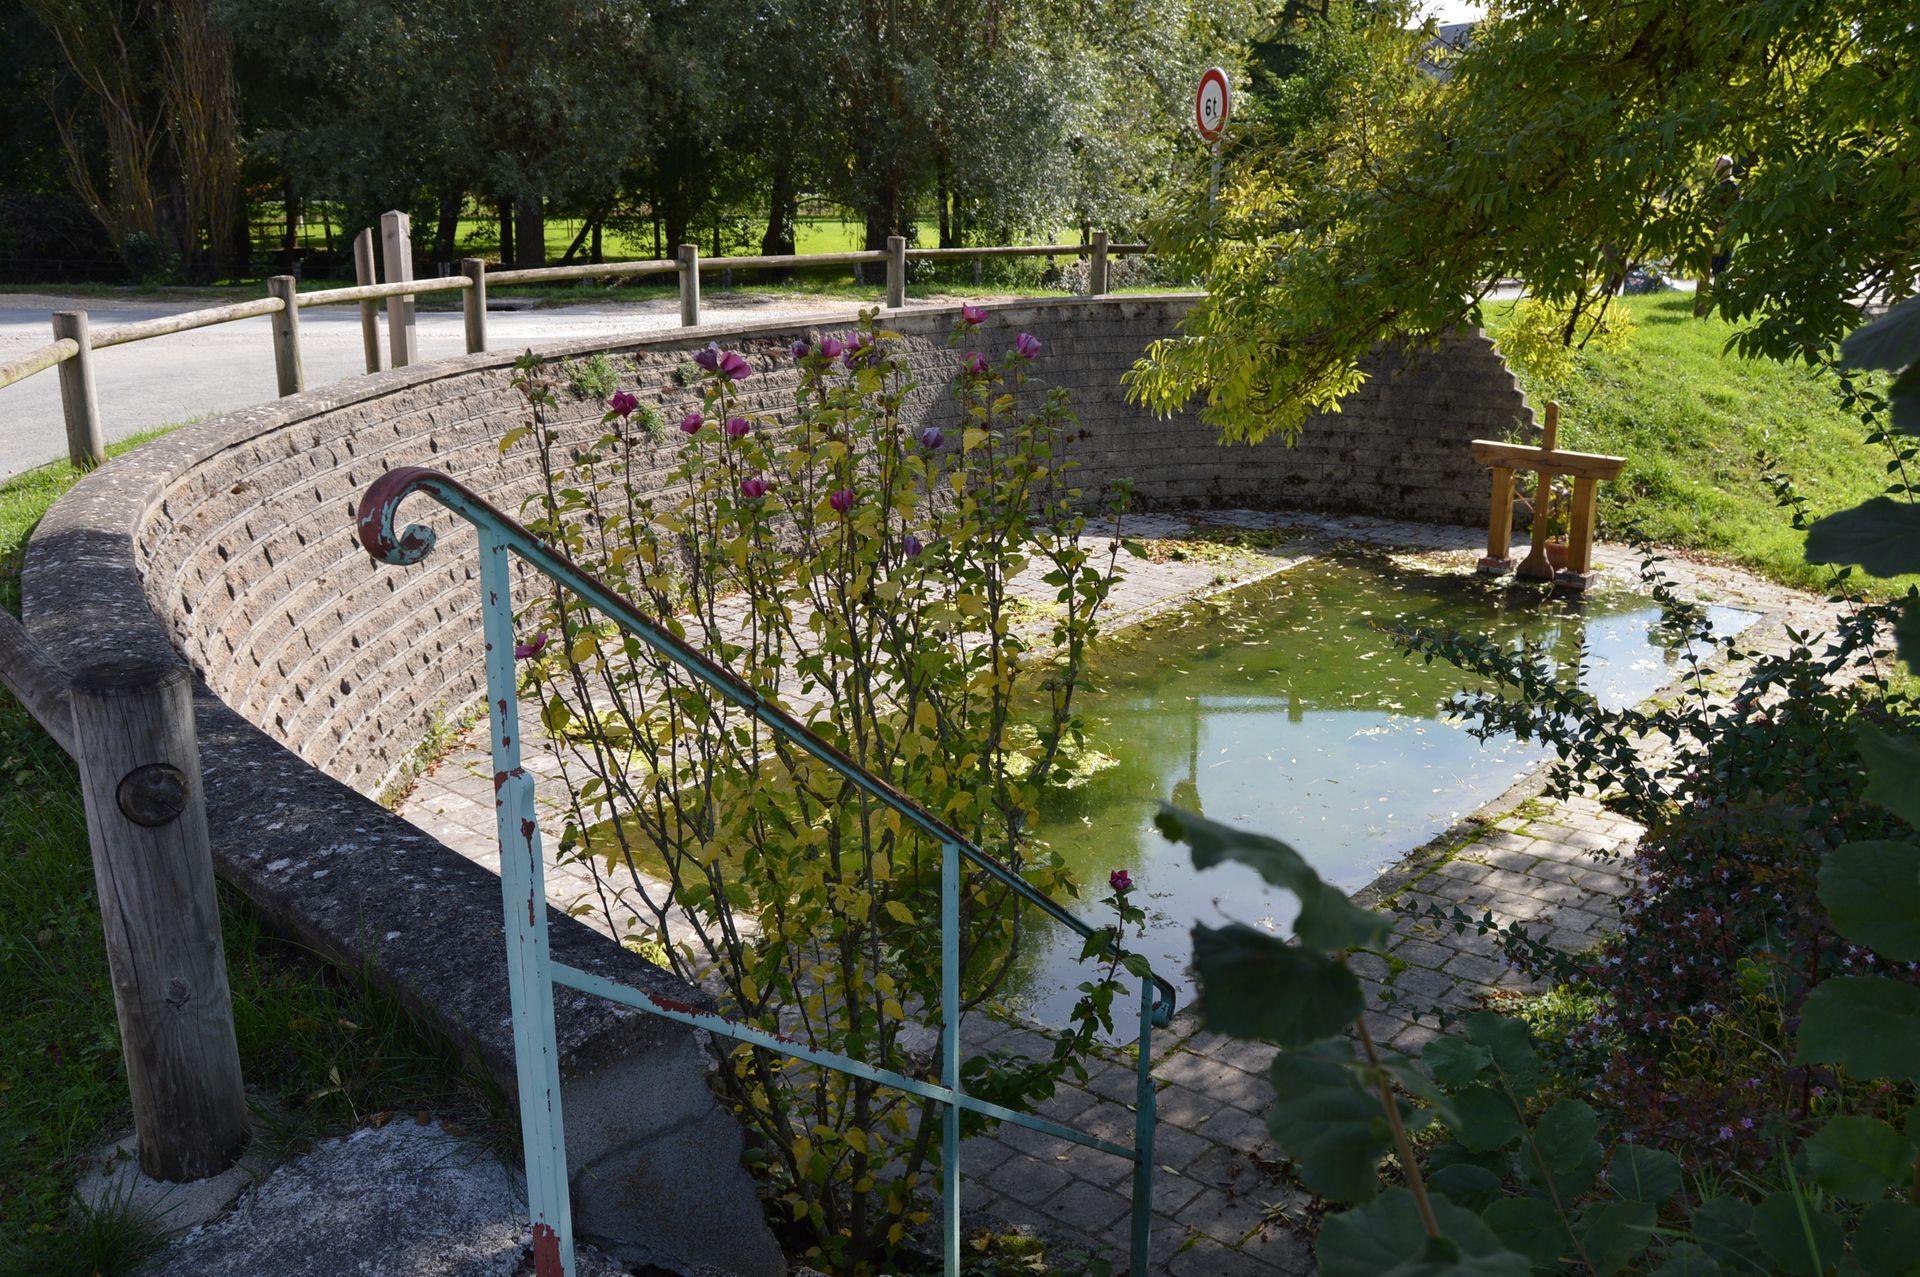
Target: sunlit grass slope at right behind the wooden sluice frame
[1694, 423]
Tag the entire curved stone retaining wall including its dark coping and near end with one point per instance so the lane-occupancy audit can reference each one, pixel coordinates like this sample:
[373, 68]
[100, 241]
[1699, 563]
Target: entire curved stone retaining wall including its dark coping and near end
[233, 544]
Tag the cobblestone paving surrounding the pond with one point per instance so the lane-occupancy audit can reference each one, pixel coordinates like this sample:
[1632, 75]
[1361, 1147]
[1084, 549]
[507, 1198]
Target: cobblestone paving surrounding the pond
[1222, 1203]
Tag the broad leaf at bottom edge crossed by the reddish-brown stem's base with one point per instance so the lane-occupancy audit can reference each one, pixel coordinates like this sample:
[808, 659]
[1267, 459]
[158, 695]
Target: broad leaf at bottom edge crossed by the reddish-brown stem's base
[1387, 1238]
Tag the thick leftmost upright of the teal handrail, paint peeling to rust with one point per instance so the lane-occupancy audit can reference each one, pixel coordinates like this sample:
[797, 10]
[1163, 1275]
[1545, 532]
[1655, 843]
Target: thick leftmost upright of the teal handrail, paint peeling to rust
[525, 905]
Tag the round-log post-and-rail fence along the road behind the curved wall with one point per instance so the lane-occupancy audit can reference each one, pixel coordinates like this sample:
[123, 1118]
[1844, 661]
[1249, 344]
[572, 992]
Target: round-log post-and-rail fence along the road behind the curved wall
[74, 343]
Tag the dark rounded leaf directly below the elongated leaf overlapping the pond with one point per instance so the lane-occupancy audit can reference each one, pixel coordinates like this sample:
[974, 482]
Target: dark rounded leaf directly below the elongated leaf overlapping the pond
[1259, 986]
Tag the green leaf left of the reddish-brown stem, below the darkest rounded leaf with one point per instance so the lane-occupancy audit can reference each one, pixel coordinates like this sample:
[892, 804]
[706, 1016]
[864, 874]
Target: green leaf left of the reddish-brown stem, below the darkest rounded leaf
[1330, 1122]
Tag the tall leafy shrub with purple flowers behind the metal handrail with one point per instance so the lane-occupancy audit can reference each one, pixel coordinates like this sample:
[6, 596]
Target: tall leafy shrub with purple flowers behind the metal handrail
[863, 579]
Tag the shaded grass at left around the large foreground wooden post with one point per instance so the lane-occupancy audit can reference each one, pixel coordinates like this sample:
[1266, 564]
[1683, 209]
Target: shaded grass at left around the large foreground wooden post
[322, 1051]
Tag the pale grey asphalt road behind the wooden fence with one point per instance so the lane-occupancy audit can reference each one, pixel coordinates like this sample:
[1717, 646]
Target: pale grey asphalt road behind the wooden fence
[189, 375]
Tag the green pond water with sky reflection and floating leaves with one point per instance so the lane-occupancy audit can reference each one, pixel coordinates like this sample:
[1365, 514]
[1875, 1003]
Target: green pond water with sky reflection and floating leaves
[1282, 710]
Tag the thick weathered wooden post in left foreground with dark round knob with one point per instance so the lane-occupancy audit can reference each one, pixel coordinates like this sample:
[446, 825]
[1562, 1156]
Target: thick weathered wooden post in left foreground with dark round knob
[133, 723]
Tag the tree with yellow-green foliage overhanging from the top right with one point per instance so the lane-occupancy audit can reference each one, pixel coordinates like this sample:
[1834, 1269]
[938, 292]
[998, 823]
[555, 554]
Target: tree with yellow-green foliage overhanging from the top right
[1566, 143]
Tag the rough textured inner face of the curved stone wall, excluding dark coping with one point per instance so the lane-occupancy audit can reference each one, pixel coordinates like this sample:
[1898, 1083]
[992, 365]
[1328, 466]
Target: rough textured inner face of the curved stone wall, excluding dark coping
[249, 556]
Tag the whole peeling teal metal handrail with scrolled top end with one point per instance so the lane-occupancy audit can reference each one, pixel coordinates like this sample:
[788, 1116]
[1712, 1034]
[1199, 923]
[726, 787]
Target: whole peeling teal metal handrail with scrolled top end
[533, 973]
